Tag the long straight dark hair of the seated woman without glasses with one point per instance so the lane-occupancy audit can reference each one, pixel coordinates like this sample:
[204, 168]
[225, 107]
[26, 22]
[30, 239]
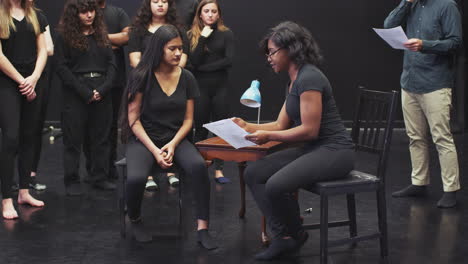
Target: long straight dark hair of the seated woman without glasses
[141, 75]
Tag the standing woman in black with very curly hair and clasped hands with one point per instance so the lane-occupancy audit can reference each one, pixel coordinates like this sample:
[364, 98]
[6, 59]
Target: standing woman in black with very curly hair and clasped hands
[85, 63]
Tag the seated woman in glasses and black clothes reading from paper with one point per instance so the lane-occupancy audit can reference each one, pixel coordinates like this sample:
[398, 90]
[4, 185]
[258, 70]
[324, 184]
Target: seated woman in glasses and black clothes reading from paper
[310, 117]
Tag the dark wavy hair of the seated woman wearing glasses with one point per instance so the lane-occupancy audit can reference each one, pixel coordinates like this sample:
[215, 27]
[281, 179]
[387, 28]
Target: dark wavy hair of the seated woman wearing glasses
[297, 40]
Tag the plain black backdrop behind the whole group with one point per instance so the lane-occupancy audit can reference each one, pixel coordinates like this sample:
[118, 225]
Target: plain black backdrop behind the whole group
[354, 53]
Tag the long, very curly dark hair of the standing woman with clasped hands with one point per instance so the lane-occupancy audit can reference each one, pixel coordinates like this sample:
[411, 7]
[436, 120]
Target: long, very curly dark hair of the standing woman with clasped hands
[71, 27]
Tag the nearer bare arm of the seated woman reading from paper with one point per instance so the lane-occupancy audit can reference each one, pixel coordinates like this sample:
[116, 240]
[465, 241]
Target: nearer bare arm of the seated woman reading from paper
[311, 115]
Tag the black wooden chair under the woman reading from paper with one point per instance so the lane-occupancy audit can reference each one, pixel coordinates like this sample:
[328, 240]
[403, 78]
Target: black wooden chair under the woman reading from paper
[371, 133]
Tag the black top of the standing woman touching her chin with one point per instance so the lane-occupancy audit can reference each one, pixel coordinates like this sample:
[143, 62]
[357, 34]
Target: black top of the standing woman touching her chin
[213, 54]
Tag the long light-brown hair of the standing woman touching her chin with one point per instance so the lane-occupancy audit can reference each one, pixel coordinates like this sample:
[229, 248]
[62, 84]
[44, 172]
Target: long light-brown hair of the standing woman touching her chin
[198, 25]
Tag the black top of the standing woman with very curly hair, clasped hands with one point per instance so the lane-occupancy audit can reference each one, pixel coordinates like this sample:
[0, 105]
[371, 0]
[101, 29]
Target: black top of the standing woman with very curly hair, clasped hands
[72, 62]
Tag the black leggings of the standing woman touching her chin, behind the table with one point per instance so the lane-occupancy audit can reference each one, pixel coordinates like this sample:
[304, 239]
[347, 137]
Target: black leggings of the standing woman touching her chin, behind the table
[211, 105]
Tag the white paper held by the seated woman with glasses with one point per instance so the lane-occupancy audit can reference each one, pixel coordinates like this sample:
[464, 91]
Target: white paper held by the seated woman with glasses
[230, 132]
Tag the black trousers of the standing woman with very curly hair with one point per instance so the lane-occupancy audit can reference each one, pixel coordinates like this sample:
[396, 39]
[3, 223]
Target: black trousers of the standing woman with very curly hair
[81, 120]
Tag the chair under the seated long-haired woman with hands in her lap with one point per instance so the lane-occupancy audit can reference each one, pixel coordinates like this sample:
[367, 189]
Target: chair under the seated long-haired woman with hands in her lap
[122, 168]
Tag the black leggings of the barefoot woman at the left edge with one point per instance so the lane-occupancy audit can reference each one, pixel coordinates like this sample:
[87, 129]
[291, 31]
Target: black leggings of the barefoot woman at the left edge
[19, 123]
